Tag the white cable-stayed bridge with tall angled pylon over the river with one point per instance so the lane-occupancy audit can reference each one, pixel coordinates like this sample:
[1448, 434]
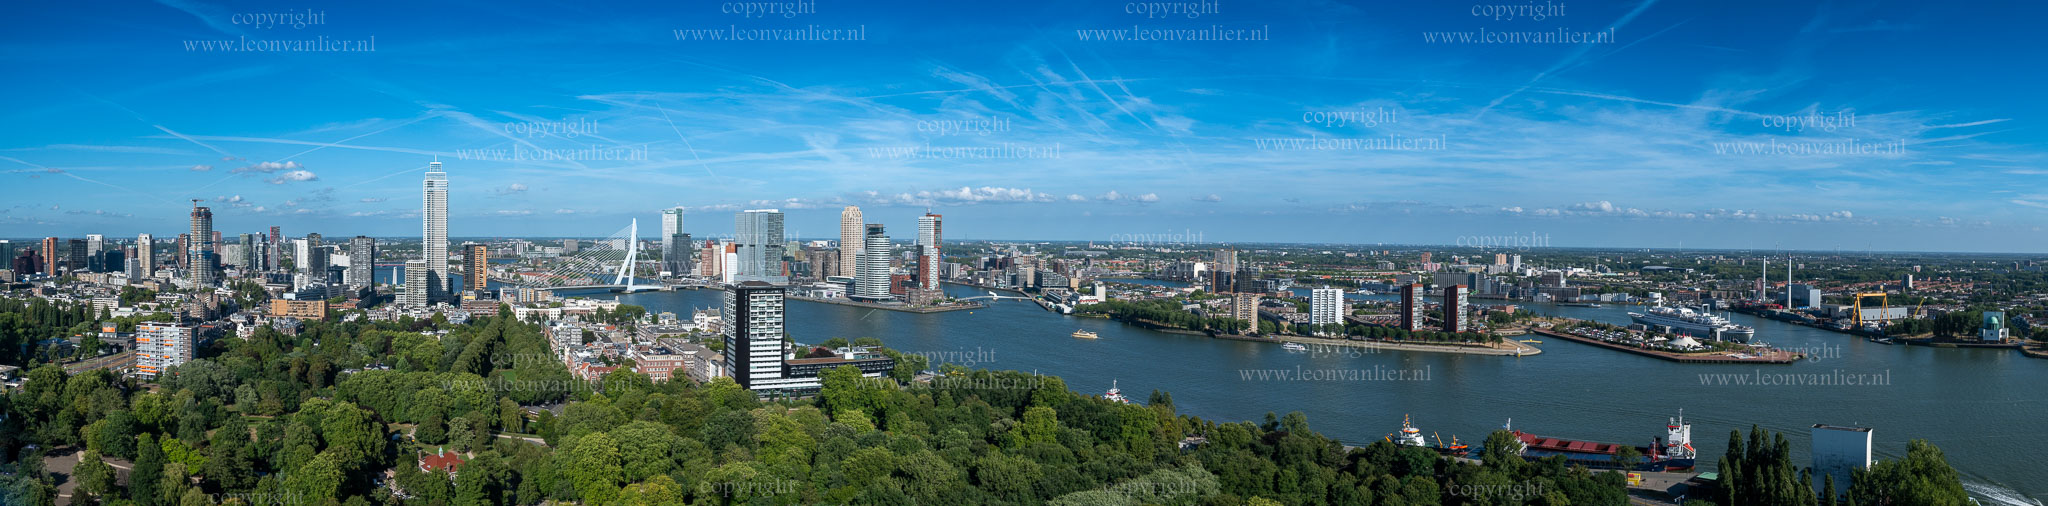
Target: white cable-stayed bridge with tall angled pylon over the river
[609, 263]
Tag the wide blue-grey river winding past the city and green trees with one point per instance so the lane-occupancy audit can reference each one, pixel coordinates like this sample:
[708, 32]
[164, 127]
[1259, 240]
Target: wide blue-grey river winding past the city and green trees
[1981, 407]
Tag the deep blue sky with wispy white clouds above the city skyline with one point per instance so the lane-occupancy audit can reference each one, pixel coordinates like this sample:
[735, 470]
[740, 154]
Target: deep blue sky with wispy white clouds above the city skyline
[116, 120]
